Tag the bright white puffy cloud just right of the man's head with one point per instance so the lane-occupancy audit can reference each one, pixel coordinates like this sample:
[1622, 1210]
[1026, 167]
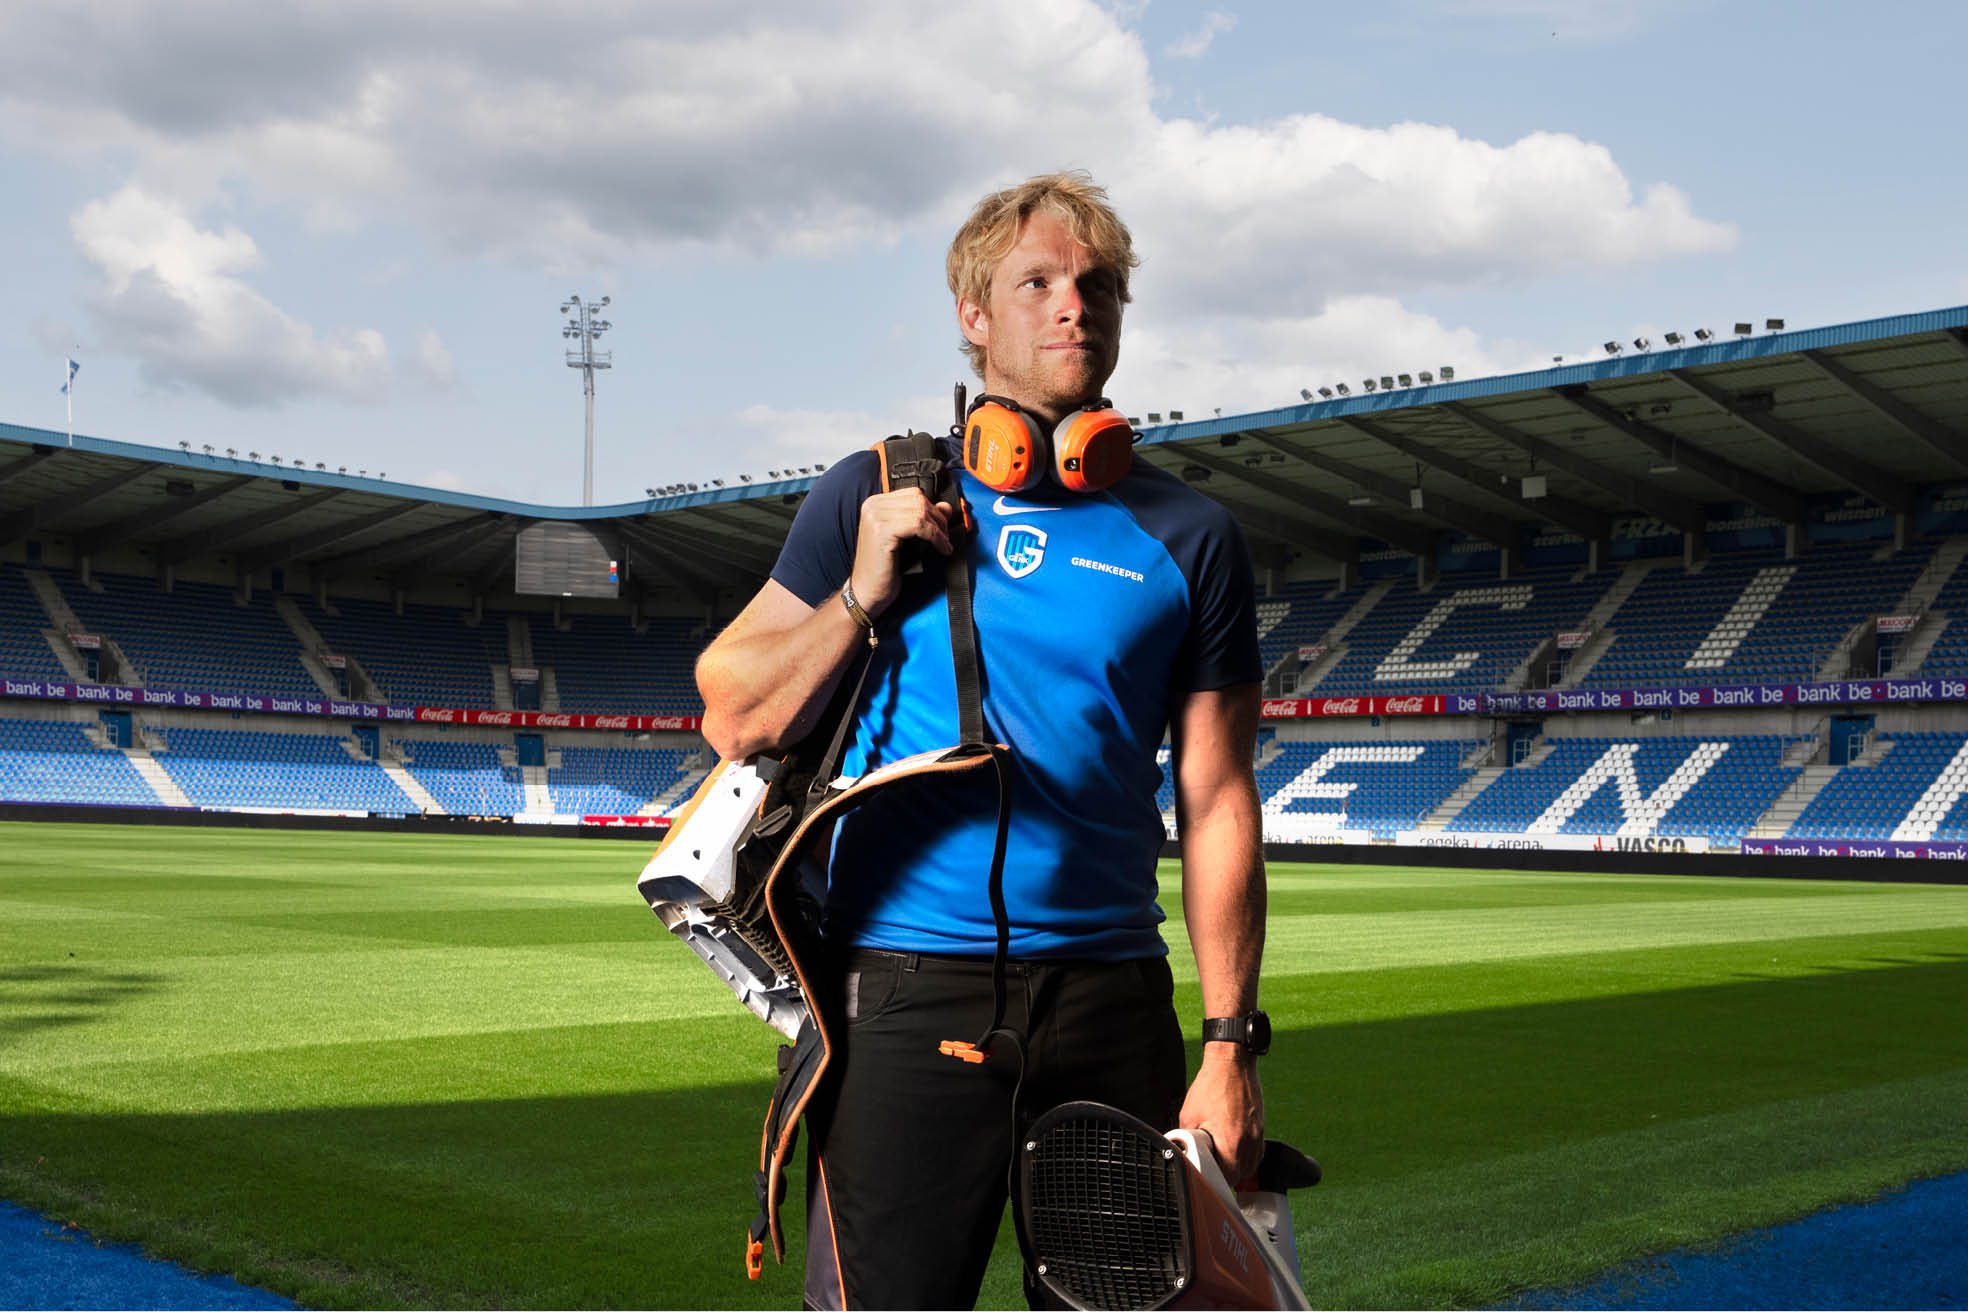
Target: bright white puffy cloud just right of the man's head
[1278, 217]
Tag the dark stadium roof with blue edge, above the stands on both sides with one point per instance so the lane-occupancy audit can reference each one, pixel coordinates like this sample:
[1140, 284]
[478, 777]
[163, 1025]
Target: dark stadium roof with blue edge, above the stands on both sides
[1776, 420]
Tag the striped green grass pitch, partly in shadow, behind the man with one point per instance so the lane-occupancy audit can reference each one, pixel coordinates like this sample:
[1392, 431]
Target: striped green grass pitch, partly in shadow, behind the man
[379, 1071]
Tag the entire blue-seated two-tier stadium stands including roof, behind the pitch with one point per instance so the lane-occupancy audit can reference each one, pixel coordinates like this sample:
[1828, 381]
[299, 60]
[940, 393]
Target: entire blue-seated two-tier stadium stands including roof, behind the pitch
[1701, 597]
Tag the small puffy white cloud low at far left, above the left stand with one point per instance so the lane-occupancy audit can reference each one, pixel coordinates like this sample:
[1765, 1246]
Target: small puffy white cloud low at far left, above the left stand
[176, 298]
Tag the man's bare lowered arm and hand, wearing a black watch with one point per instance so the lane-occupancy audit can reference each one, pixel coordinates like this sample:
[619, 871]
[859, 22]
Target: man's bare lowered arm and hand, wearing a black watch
[1215, 737]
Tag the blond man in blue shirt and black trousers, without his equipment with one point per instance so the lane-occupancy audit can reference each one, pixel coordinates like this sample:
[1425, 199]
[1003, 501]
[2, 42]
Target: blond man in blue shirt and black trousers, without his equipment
[1105, 621]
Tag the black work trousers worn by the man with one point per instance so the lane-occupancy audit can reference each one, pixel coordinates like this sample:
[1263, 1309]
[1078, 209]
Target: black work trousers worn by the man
[910, 1150]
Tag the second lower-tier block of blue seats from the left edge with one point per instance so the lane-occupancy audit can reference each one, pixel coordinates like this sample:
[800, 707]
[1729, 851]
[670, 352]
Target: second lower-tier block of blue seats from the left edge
[294, 772]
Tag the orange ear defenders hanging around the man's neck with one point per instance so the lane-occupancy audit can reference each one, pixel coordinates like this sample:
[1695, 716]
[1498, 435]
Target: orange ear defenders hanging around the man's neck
[1011, 451]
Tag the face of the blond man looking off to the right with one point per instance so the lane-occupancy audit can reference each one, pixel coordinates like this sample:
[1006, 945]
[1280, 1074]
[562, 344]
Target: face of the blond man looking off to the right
[1052, 328]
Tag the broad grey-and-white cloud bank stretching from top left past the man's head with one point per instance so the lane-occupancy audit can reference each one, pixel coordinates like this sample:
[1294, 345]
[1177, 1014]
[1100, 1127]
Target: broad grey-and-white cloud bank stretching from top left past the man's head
[780, 129]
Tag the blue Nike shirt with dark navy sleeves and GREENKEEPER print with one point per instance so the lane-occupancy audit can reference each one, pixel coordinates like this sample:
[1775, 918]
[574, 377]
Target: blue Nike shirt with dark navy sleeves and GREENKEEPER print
[1095, 617]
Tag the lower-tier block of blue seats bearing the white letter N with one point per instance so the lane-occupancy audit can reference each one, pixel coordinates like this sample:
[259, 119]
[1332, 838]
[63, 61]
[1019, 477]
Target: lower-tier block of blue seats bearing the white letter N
[1676, 788]
